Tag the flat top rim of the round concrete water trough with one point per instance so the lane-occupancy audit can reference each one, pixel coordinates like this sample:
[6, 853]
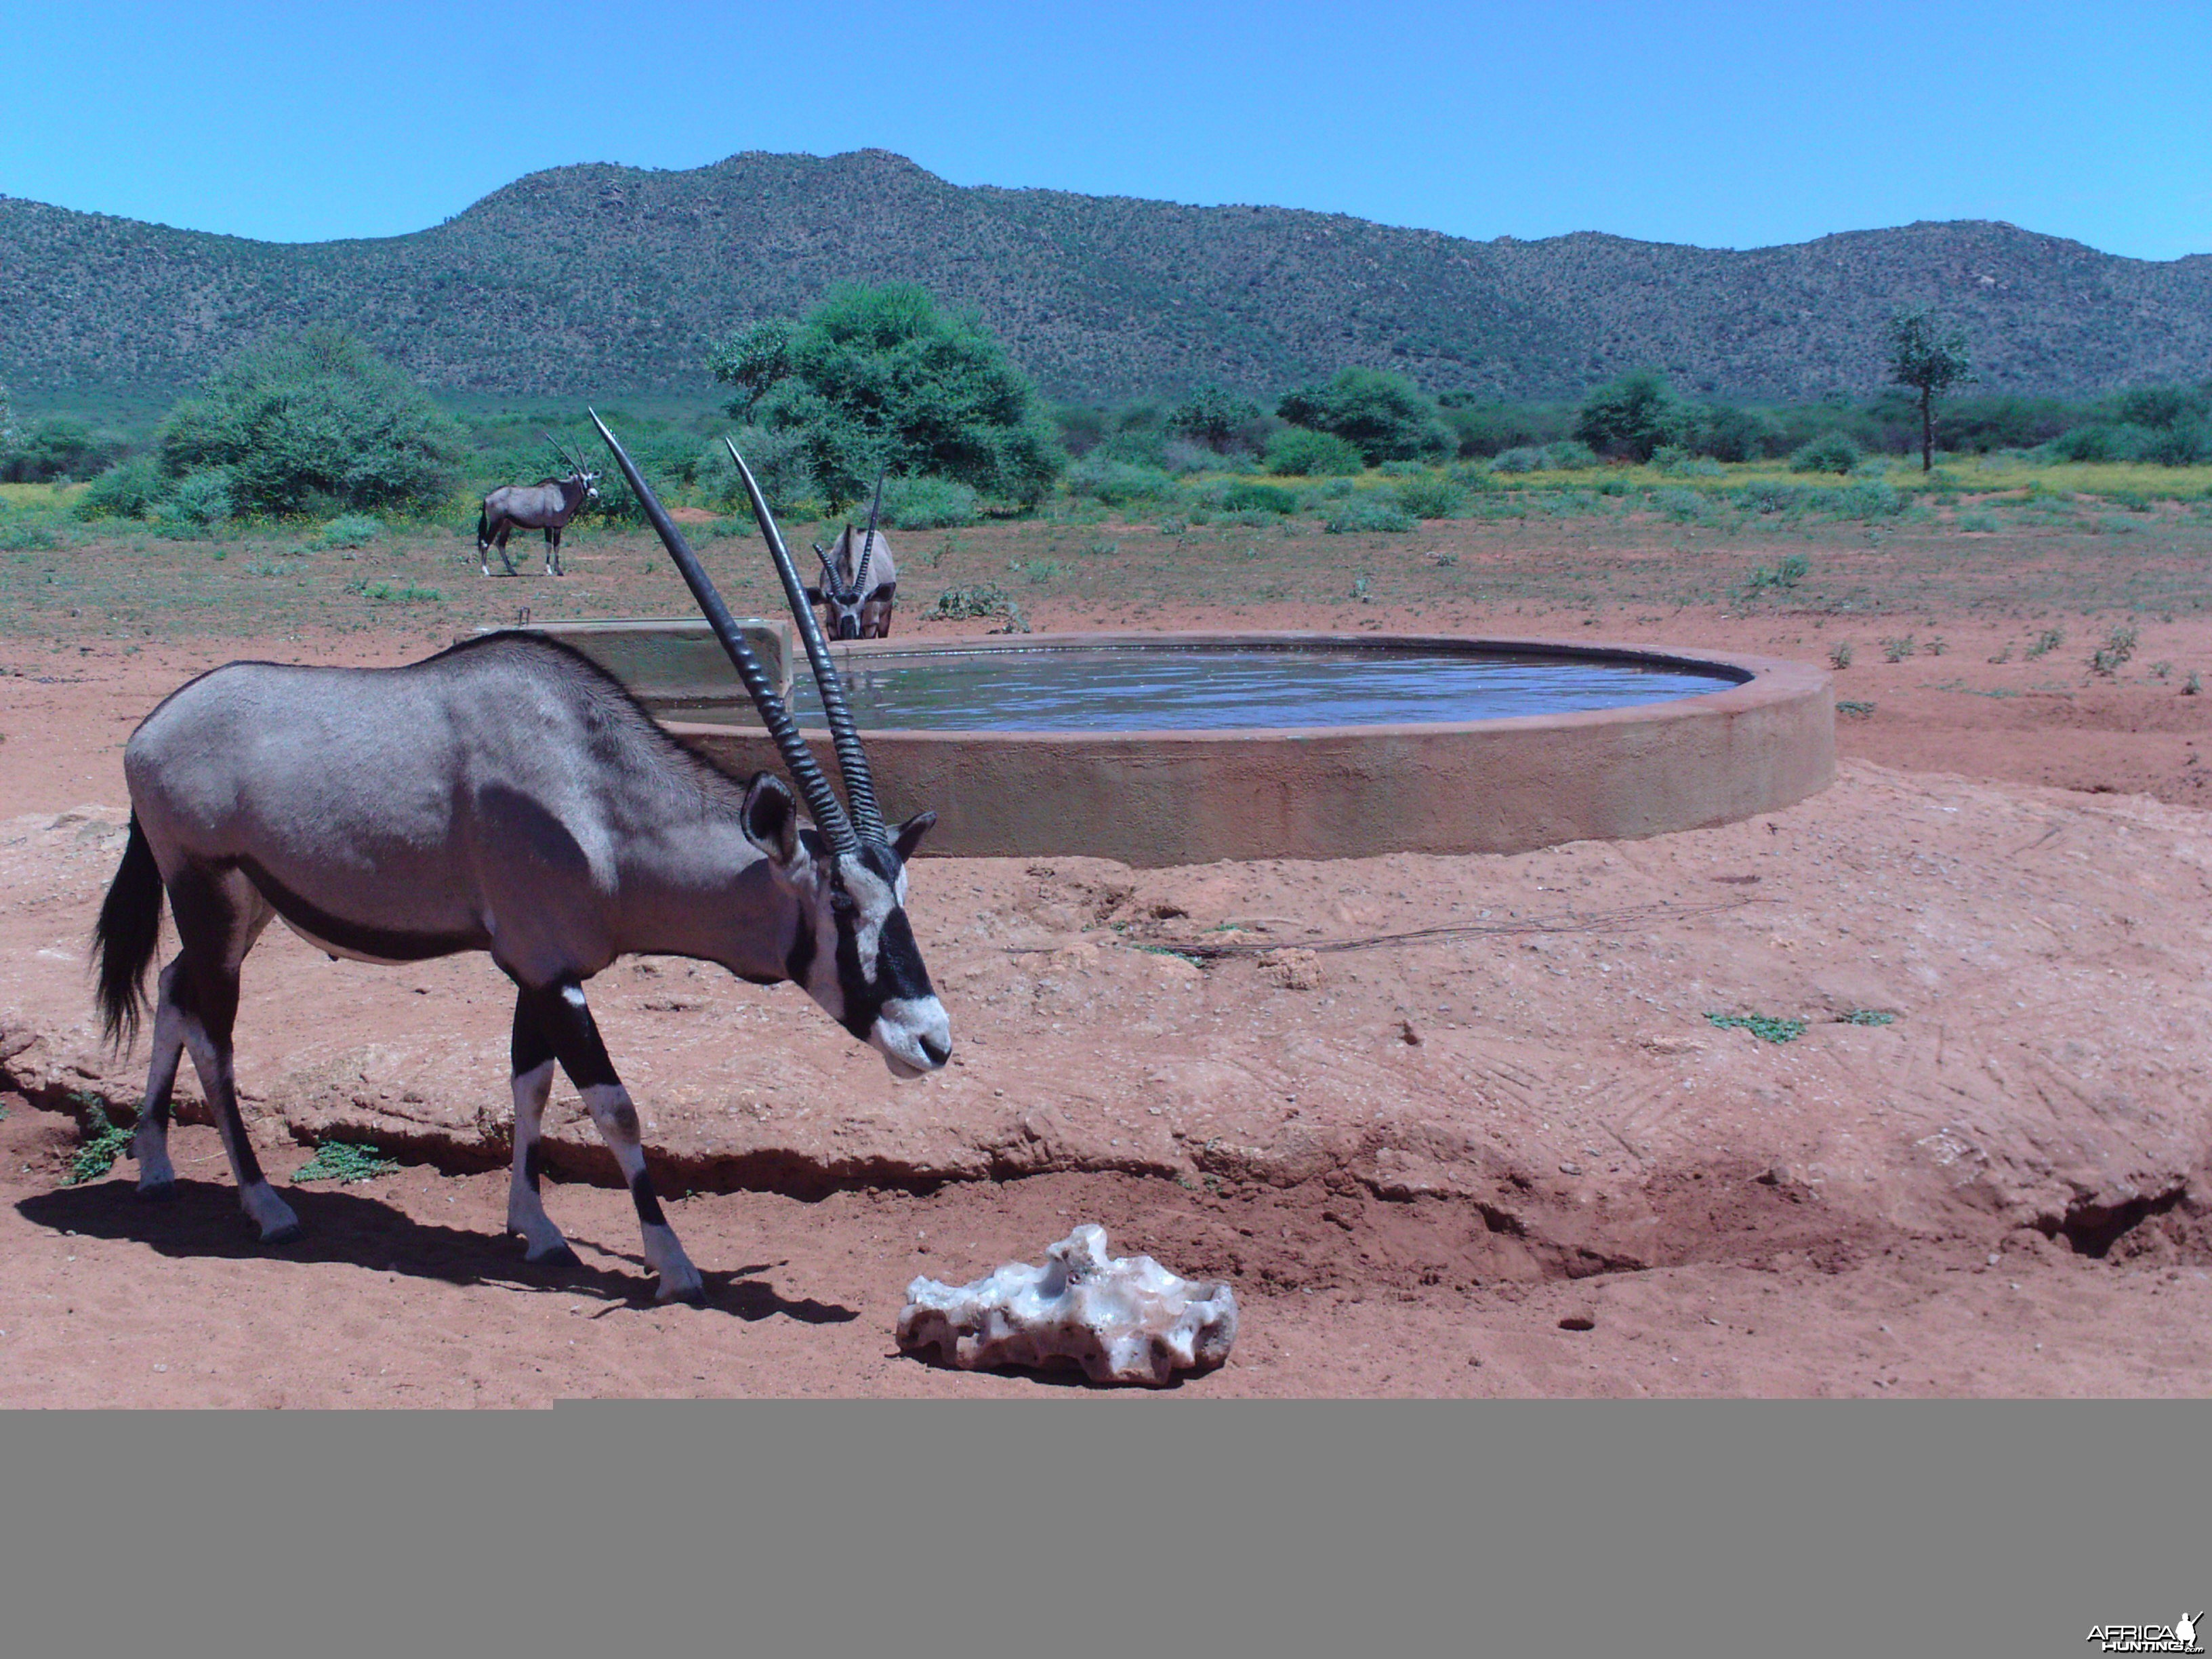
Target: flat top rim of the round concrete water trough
[1757, 685]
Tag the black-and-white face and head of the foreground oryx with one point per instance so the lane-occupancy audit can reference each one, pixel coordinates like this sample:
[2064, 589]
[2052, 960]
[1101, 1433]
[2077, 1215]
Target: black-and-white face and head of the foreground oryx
[855, 950]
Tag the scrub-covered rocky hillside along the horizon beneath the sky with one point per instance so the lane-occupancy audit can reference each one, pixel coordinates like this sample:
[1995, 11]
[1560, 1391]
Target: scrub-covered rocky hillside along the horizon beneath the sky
[601, 280]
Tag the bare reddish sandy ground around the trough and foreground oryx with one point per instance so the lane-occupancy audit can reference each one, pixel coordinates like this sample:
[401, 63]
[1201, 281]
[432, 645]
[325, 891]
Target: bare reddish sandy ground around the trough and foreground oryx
[1516, 1158]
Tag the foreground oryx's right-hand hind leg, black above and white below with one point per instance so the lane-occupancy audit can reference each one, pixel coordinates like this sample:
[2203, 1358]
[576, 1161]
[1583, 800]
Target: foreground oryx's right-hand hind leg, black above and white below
[218, 921]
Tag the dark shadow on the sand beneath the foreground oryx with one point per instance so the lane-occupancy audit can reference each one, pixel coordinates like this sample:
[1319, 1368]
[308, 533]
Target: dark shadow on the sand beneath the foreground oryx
[377, 1238]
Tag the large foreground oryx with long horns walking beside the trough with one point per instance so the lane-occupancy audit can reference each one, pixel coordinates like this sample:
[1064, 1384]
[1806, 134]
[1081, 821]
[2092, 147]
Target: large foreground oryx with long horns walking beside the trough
[503, 797]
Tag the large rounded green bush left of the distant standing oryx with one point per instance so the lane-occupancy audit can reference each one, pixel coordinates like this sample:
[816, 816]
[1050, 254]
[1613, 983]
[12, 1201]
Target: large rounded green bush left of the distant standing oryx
[315, 424]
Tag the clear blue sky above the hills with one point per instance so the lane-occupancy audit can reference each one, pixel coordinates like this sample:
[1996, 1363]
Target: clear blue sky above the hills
[1729, 127]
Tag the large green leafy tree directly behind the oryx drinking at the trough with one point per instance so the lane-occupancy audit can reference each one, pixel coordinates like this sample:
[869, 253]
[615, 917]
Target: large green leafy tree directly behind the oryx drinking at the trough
[879, 377]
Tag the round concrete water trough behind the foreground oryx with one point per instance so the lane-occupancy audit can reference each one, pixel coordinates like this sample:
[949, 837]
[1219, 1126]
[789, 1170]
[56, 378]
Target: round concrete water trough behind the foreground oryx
[1726, 738]
